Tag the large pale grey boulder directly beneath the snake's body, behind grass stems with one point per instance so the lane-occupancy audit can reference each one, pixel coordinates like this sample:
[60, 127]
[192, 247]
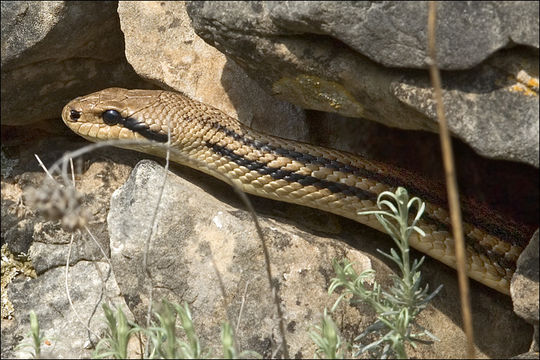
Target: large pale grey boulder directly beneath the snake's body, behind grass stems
[203, 231]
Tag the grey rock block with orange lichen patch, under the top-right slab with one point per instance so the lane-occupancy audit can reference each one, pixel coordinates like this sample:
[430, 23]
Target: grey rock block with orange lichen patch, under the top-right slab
[485, 106]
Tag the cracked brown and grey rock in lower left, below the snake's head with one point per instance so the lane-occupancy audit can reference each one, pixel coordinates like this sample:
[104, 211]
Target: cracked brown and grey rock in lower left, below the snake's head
[48, 246]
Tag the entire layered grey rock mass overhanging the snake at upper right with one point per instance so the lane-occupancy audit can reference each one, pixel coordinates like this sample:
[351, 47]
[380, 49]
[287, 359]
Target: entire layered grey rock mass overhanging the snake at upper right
[322, 57]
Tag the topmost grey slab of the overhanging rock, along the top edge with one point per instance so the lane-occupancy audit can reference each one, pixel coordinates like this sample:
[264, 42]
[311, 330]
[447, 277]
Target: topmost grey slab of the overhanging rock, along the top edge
[391, 33]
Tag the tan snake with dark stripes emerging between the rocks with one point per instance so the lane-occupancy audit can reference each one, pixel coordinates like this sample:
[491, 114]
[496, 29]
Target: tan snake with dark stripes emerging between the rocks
[335, 181]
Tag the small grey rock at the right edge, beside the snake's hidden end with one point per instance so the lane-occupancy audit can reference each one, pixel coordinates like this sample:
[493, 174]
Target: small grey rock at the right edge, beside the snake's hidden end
[524, 287]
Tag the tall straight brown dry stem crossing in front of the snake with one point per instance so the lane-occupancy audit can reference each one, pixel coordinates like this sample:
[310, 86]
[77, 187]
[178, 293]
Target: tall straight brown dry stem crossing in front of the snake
[451, 182]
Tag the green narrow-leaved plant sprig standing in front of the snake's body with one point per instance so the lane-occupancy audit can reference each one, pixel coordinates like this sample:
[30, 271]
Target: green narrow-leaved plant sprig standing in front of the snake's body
[398, 307]
